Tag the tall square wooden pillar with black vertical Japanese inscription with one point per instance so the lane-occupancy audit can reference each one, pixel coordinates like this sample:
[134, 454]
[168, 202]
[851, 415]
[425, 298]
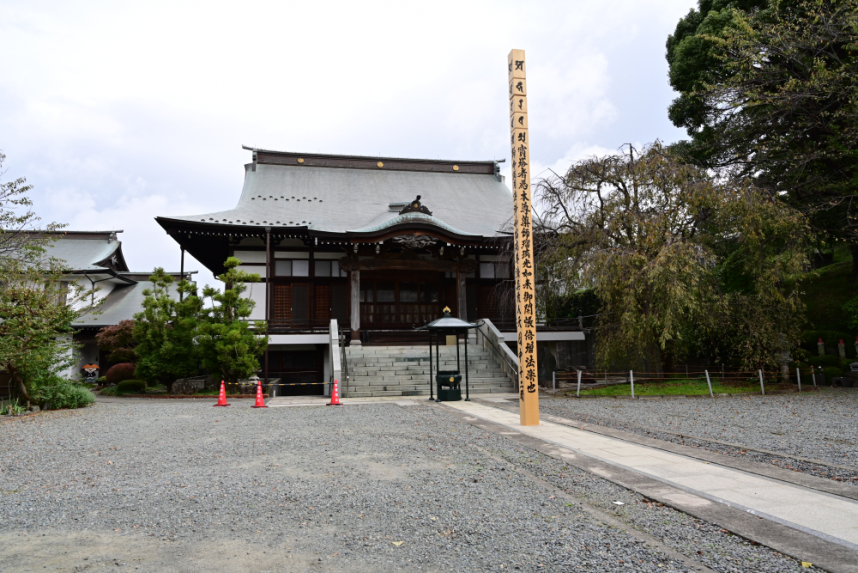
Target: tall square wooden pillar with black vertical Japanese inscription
[525, 300]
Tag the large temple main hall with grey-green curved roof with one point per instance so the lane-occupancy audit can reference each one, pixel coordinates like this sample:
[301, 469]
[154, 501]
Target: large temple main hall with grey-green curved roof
[379, 244]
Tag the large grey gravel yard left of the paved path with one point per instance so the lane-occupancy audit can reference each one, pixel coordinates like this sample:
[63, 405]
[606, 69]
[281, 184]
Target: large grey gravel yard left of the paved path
[188, 487]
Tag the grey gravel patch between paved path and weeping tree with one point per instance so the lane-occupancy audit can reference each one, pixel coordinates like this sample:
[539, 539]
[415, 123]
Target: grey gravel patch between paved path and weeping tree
[820, 426]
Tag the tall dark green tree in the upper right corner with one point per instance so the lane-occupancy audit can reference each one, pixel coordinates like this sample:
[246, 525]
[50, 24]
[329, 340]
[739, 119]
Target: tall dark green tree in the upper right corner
[769, 91]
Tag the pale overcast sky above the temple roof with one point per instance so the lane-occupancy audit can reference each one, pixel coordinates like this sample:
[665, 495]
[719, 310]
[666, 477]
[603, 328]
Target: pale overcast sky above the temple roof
[121, 111]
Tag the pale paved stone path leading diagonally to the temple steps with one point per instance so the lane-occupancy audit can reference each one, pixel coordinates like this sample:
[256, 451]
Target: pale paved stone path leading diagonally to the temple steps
[825, 515]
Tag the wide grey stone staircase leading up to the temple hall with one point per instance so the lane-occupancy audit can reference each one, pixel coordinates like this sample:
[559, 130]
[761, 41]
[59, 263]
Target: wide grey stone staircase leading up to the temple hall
[404, 370]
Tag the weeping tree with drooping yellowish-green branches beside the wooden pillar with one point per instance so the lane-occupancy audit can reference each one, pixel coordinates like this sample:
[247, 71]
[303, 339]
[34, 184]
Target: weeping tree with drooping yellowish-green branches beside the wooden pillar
[660, 242]
